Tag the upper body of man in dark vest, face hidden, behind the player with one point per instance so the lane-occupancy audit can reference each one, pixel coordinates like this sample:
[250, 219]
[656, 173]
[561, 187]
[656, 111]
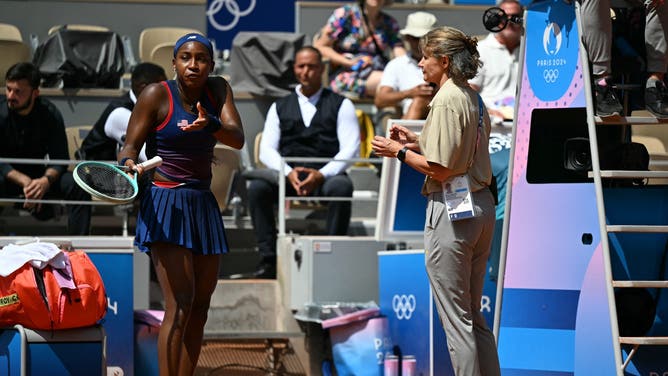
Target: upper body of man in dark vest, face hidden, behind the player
[108, 133]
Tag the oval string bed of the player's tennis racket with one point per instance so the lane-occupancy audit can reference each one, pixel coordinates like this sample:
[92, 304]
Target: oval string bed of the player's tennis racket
[106, 181]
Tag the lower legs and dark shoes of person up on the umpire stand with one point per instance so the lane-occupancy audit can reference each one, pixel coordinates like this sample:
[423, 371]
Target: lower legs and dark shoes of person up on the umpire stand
[597, 38]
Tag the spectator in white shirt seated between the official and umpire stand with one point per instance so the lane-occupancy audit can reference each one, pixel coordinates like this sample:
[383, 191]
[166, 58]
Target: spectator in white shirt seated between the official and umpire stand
[497, 78]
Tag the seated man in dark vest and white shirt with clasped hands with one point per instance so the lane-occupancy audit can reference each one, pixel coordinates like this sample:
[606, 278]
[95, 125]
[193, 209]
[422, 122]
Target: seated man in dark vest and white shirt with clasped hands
[310, 122]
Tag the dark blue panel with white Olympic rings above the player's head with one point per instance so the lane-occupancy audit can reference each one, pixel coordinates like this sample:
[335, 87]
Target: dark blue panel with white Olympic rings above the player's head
[225, 18]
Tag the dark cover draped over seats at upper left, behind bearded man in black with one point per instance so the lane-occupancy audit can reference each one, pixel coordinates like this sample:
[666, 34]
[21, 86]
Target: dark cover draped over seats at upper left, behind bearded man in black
[81, 59]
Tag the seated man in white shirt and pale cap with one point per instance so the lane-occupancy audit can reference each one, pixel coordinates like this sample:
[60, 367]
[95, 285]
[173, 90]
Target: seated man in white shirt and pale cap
[402, 83]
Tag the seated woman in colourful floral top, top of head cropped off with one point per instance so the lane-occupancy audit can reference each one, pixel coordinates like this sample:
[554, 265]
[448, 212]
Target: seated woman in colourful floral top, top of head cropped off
[345, 40]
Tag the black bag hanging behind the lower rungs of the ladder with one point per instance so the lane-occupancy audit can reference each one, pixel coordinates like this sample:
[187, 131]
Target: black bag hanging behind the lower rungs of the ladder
[636, 307]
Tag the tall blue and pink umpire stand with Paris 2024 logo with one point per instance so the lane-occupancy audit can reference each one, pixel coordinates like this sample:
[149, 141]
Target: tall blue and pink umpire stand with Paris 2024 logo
[569, 242]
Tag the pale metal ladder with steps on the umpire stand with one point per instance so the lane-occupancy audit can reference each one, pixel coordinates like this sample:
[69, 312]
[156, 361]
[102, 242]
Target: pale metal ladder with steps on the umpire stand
[605, 230]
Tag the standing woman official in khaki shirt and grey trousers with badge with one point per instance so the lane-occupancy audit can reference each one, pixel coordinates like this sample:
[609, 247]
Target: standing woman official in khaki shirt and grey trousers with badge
[453, 142]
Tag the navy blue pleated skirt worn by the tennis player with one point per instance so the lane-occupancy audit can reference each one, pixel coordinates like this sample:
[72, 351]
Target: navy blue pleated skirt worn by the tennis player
[185, 216]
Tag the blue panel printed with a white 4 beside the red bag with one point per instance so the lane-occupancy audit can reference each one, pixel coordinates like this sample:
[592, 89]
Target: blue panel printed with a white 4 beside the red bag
[116, 269]
